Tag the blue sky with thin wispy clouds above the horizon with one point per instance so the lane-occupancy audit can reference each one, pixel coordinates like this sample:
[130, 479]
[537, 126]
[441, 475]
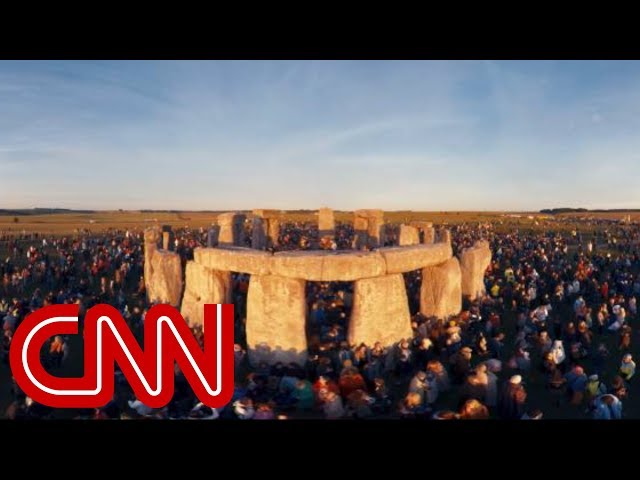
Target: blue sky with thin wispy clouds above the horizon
[420, 135]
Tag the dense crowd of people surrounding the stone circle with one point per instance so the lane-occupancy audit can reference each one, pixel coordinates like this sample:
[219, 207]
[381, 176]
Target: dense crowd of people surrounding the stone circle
[554, 335]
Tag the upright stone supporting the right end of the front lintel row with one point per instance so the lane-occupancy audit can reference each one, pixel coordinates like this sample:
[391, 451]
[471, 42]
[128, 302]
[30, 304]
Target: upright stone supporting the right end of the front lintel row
[441, 290]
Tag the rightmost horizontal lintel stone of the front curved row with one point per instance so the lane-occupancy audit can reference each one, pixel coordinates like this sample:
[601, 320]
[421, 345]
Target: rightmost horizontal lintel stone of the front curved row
[406, 259]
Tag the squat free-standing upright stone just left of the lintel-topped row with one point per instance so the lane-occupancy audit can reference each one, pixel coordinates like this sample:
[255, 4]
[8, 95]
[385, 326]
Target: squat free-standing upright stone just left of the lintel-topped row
[166, 279]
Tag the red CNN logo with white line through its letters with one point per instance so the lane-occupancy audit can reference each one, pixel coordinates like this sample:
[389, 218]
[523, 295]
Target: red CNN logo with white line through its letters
[108, 339]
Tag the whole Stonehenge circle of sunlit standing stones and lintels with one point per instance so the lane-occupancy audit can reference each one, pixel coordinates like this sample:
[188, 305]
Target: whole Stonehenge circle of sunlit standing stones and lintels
[276, 298]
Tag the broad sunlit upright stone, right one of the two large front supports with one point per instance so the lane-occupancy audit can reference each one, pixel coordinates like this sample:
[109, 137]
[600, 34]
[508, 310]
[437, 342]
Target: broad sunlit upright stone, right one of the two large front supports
[380, 311]
